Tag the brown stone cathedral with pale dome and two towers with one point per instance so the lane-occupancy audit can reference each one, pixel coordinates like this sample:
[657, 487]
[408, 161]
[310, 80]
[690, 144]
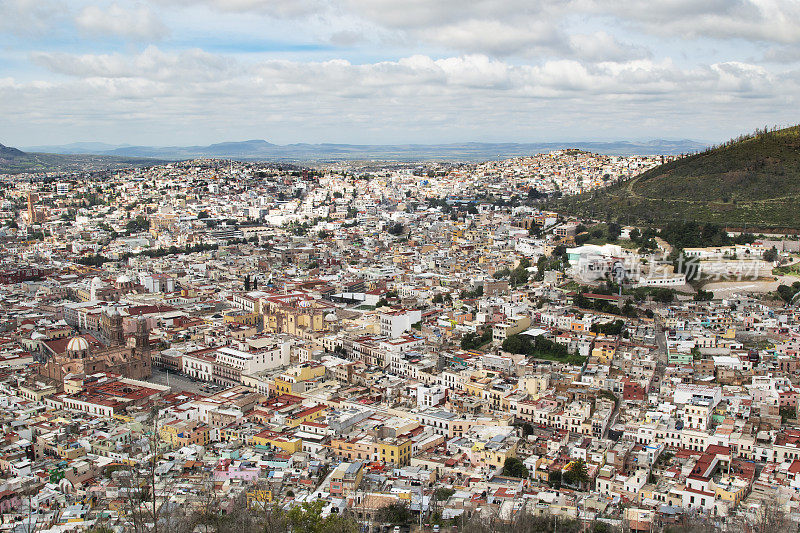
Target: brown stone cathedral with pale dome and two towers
[84, 355]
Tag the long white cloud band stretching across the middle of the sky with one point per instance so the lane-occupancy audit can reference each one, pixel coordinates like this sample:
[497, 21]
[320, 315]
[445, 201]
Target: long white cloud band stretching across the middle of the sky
[462, 87]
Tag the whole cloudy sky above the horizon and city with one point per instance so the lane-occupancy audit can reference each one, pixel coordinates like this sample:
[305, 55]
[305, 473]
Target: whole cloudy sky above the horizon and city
[179, 72]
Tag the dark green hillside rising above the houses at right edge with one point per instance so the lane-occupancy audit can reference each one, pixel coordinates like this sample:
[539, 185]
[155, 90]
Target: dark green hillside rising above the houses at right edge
[751, 182]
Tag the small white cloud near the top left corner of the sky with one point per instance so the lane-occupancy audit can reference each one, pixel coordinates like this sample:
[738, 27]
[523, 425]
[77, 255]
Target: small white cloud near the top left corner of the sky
[137, 23]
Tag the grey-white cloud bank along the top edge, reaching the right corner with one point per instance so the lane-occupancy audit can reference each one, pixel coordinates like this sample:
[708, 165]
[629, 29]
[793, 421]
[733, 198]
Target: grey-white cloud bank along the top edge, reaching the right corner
[756, 20]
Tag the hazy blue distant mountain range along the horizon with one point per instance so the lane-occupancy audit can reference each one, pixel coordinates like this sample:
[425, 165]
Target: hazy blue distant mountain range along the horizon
[472, 151]
